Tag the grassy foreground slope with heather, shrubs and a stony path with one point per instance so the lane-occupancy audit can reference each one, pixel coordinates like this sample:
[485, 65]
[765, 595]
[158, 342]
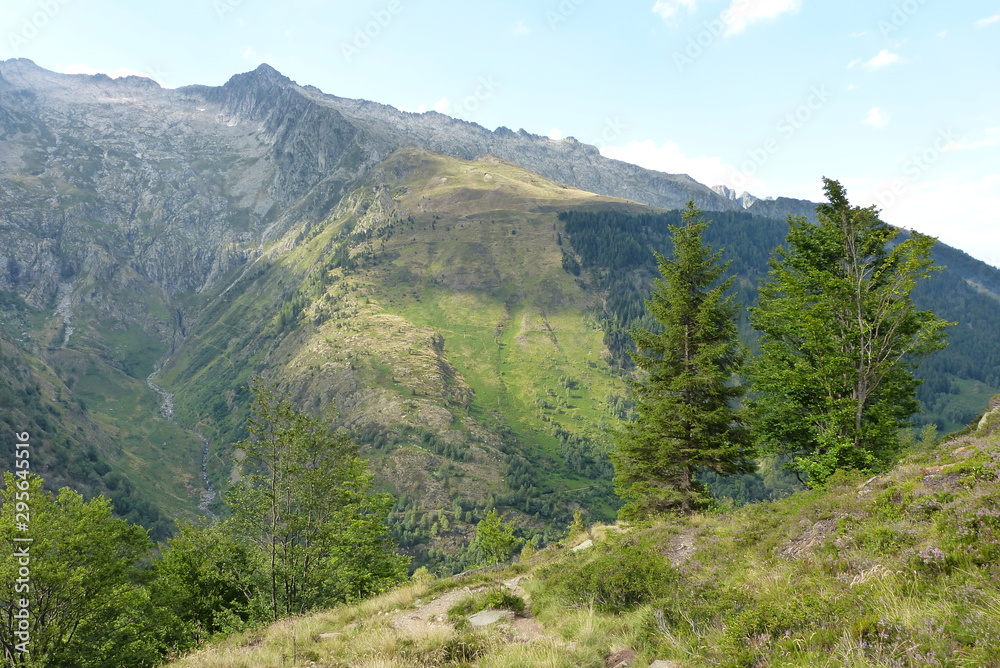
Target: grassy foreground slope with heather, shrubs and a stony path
[896, 570]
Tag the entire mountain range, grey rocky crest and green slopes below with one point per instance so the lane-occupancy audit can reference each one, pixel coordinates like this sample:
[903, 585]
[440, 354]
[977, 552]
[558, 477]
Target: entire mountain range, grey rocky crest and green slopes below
[412, 273]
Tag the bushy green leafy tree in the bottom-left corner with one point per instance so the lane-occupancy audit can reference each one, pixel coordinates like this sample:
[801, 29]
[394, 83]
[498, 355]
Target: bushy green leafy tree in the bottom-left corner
[80, 577]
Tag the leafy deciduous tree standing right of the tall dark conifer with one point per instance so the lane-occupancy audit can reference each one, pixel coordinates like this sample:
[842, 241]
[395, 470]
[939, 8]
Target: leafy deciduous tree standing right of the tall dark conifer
[840, 338]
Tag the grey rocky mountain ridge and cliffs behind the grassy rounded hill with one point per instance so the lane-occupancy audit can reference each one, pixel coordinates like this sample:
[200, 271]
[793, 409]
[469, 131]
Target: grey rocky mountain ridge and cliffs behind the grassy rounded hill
[179, 186]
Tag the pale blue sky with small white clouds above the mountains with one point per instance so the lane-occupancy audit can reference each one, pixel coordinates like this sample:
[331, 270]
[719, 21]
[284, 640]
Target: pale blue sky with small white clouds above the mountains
[899, 100]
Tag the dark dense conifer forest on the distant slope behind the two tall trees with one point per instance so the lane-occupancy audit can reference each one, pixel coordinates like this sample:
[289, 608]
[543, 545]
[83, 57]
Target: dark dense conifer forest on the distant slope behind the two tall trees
[615, 248]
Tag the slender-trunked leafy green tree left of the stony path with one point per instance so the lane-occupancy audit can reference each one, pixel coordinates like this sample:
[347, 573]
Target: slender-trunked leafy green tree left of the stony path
[304, 501]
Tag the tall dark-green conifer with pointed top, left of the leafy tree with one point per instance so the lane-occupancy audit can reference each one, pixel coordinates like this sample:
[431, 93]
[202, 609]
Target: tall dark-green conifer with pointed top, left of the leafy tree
[686, 420]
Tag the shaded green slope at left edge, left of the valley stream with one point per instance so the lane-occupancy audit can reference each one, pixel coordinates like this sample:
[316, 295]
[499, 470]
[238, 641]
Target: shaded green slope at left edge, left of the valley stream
[78, 428]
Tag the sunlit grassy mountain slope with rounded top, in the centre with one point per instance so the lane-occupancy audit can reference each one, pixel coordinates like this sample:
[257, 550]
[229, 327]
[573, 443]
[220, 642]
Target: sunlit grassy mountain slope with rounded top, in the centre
[432, 309]
